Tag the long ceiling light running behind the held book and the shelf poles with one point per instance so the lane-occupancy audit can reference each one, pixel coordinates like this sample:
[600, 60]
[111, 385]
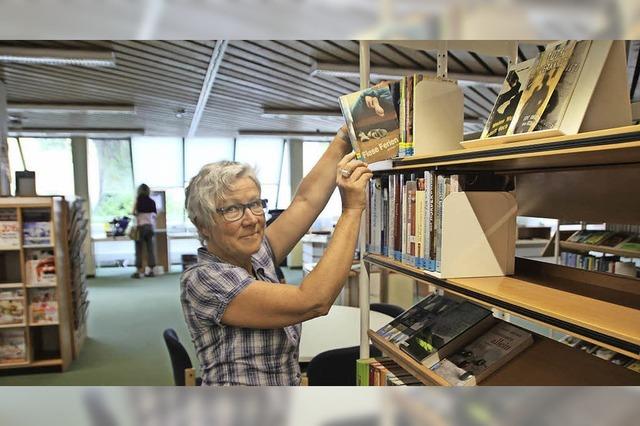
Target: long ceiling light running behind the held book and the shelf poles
[396, 73]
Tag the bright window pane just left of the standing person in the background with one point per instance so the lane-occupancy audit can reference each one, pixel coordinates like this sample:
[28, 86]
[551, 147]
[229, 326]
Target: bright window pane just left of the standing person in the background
[111, 190]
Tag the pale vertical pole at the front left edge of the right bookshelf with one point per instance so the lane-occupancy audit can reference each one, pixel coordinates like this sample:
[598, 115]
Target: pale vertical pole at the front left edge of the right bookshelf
[363, 283]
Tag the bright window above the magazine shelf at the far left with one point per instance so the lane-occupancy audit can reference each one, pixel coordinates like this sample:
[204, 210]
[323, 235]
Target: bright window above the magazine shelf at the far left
[39, 156]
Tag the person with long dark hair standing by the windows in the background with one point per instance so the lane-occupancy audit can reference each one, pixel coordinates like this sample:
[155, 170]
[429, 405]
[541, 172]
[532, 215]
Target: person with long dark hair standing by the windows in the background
[145, 212]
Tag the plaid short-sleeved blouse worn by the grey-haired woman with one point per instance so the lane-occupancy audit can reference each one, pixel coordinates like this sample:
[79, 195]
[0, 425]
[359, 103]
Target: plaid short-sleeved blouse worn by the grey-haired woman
[234, 355]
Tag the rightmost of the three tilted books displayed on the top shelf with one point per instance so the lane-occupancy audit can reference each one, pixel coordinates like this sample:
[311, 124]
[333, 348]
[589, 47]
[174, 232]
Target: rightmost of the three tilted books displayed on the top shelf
[561, 96]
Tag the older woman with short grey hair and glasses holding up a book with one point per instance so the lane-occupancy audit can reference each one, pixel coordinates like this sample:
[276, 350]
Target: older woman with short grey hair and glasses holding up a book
[246, 325]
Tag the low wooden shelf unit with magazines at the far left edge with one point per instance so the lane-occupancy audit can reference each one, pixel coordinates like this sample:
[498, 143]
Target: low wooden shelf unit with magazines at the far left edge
[44, 338]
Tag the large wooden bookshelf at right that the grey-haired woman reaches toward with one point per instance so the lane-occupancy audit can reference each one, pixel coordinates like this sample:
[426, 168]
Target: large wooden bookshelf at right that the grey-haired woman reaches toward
[597, 307]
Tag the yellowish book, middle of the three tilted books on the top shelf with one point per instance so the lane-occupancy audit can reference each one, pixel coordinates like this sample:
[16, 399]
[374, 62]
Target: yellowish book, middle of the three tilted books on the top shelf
[543, 79]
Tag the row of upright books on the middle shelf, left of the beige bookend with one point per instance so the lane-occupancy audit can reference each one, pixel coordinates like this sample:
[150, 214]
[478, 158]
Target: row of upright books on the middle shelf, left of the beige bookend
[405, 213]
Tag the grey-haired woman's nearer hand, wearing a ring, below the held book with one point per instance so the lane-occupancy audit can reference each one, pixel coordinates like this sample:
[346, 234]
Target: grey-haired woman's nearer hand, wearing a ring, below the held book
[352, 177]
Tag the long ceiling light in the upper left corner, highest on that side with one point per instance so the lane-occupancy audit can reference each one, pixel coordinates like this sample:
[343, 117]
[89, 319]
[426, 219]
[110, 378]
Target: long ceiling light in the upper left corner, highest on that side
[36, 56]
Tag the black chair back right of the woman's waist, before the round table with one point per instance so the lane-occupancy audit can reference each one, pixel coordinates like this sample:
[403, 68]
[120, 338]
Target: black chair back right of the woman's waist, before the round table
[336, 367]
